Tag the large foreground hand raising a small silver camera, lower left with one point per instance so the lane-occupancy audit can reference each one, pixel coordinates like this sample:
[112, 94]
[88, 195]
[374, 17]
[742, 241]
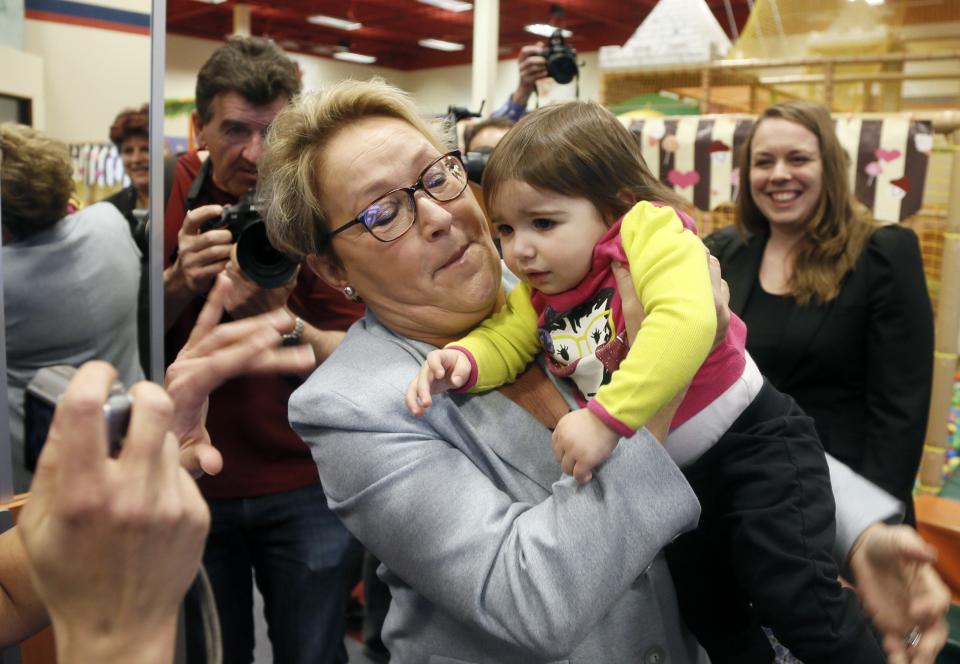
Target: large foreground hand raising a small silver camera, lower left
[113, 544]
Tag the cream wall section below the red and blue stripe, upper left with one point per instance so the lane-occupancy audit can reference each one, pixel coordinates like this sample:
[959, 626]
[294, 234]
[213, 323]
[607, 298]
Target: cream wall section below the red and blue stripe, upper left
[89, 75]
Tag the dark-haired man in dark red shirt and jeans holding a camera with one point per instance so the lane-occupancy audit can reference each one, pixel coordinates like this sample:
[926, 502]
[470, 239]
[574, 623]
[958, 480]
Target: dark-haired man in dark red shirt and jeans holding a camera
[269, 490]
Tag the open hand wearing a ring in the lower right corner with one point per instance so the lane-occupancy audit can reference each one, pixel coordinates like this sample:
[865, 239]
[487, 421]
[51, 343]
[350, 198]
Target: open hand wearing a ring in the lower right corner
[901, 592]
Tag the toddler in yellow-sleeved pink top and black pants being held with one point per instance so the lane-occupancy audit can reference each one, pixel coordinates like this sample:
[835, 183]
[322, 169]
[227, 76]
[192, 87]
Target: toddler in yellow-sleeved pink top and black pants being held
[569, 195]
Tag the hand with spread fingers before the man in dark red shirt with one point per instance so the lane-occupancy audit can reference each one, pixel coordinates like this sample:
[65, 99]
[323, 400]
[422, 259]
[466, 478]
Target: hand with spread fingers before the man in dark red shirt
[213, 354]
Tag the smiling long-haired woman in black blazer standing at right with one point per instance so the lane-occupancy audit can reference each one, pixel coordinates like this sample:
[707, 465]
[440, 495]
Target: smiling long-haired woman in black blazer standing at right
[837, 306]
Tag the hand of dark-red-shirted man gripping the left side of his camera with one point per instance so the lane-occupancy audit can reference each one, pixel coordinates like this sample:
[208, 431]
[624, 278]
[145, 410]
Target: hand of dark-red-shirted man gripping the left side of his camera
[202, 256]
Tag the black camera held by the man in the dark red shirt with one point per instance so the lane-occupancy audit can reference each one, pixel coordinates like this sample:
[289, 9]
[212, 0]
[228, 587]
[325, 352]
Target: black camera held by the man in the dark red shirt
[259, 260]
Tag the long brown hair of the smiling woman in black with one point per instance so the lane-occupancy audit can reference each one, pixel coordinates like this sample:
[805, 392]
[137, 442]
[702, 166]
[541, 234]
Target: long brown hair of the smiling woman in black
[835, 234]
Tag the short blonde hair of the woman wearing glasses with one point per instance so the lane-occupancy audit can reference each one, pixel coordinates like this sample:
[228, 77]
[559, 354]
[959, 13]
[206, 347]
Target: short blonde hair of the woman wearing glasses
[293, 160]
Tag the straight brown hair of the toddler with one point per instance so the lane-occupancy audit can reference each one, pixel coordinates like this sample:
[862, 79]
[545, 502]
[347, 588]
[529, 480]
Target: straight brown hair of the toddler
[577, 149]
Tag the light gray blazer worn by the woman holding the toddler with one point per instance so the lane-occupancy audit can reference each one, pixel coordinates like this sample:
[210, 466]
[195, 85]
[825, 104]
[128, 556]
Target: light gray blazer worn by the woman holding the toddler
[490, 554]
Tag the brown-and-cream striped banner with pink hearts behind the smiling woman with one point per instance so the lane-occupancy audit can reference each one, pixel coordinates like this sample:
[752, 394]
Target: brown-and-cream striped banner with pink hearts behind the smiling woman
[698, 157]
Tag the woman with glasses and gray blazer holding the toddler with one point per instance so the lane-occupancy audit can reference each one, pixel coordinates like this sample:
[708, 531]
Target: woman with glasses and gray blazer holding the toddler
[490, 553]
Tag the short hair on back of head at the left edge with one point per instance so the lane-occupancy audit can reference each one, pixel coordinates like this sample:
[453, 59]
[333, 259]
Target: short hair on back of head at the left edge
[36, 180]
